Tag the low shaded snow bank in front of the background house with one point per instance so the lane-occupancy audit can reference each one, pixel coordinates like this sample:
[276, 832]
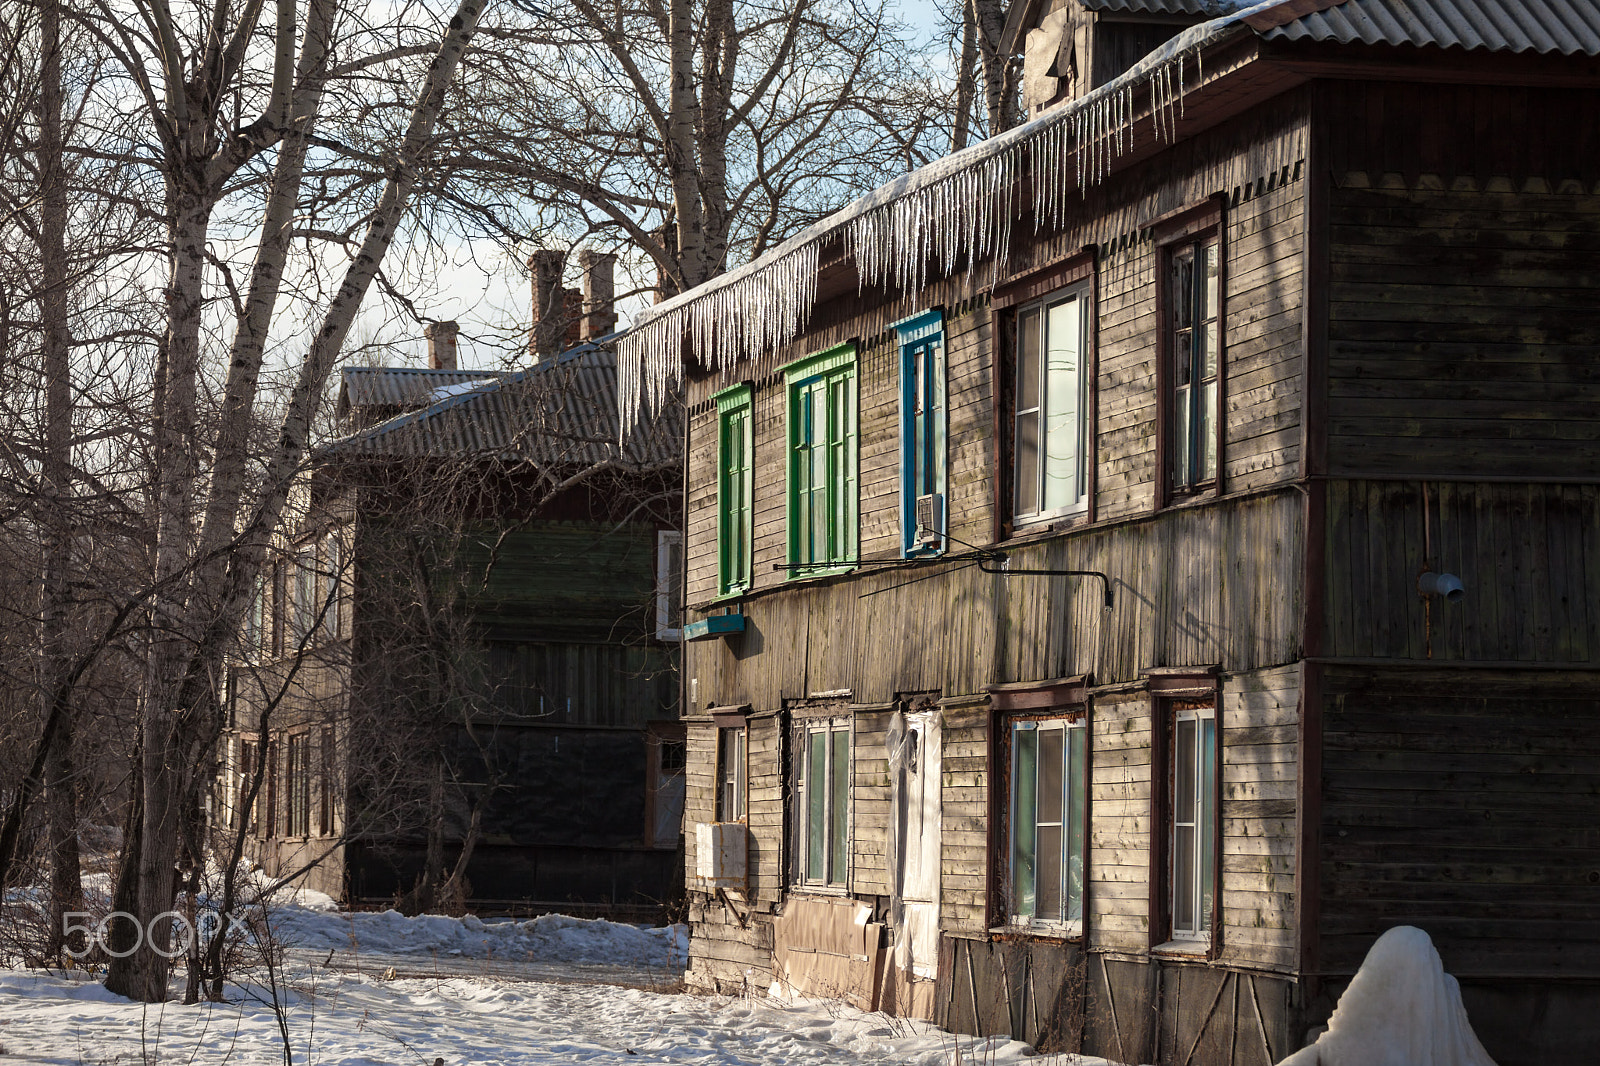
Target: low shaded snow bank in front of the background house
[311, 921]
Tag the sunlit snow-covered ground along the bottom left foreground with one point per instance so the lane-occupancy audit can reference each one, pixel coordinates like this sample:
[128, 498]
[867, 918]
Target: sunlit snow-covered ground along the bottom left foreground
[348, 1020]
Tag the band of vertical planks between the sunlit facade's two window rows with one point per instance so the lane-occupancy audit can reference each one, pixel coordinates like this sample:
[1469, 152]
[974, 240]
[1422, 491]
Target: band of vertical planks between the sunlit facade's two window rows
[1196, 585]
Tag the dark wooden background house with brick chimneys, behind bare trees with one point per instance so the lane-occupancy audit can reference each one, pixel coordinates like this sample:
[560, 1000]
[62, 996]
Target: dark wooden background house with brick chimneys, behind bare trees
[476, 636]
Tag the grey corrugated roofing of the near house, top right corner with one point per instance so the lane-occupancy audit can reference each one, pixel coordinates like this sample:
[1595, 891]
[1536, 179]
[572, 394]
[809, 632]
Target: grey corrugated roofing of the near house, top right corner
[1543, 26]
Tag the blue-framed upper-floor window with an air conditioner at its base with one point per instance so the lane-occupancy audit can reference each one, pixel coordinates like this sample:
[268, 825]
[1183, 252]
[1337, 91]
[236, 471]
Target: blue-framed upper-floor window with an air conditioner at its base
[922, 433]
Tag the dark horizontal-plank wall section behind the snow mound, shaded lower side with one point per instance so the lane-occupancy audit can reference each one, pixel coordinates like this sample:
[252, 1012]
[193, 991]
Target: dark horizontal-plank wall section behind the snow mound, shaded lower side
[1463, 803]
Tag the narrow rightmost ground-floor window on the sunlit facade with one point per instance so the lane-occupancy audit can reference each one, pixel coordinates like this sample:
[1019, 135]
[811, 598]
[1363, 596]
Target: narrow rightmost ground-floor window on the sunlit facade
[1194, 822]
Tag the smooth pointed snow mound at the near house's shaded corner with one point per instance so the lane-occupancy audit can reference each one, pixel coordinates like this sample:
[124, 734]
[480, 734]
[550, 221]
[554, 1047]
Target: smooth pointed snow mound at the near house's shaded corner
[1401, 1011]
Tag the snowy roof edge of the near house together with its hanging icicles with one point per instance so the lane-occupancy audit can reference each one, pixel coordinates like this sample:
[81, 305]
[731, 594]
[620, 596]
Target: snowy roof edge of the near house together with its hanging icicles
[954, 209]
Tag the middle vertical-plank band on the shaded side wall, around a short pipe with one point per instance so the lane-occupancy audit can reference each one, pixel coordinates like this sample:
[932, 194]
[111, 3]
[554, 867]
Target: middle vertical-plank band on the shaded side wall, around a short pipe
[1529, 556]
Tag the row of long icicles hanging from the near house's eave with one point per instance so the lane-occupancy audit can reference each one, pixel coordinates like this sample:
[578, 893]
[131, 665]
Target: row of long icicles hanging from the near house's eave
[964, 217]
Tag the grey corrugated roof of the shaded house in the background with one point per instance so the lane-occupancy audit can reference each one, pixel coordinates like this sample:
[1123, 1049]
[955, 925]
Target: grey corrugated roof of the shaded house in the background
[562, 412]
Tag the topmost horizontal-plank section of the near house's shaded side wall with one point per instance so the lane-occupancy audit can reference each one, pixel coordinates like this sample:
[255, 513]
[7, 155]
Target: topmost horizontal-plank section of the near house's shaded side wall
[1462, 331]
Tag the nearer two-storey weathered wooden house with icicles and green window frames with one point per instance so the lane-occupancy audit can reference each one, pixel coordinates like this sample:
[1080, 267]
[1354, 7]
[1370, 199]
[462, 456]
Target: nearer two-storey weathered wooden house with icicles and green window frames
[1057, 524]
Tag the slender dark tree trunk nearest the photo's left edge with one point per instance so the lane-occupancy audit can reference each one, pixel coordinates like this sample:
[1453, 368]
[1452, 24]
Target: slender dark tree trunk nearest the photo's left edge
[66, 886]
